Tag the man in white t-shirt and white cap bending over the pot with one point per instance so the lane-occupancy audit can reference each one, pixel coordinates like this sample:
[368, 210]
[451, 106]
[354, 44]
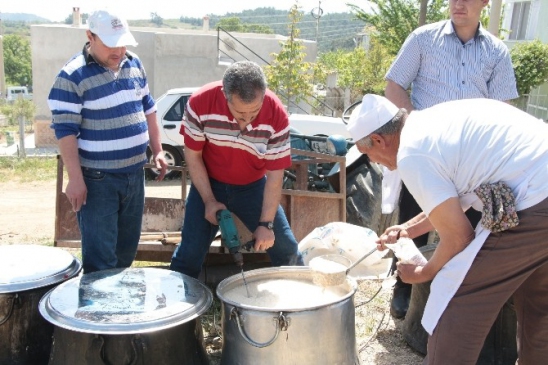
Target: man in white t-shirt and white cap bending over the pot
[474, 152]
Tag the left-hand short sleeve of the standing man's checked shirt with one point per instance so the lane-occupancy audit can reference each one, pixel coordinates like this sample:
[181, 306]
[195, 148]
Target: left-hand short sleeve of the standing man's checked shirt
[406, 66]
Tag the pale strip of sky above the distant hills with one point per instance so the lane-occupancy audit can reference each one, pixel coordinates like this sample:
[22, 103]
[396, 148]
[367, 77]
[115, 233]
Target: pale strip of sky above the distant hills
[58, 10]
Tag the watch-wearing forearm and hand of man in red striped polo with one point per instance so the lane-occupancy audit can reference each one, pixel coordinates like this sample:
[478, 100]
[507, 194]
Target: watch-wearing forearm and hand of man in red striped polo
[264, 238]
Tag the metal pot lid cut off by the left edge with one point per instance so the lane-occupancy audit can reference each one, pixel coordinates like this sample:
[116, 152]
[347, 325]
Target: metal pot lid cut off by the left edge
[26, 267]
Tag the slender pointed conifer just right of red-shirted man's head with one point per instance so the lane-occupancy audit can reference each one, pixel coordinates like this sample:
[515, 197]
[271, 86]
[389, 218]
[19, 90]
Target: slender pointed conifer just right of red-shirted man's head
[289, 75]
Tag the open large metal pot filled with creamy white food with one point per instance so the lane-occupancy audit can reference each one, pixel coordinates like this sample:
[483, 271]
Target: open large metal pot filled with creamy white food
[310, 331]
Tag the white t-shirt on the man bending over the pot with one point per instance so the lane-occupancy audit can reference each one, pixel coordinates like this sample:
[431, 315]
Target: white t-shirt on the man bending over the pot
[452, 148]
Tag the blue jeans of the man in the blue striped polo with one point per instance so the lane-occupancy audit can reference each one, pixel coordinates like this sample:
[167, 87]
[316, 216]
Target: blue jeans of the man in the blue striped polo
[110, 222]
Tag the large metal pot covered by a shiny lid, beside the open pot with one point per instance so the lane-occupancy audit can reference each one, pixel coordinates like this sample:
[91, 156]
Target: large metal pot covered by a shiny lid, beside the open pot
[128, 316]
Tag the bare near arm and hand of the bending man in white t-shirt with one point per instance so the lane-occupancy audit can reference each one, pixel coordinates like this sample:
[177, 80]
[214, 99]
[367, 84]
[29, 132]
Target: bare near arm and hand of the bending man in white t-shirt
[455, 233]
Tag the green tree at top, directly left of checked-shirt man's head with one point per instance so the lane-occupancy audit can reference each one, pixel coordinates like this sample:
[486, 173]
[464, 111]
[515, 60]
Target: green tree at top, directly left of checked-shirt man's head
[395, 19]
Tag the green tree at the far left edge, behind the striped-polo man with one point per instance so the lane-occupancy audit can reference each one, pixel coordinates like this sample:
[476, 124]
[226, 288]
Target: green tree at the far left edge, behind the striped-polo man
[17, 60]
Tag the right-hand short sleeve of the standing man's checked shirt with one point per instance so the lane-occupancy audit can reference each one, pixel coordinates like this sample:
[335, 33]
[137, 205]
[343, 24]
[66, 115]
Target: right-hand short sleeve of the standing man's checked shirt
[502, 85]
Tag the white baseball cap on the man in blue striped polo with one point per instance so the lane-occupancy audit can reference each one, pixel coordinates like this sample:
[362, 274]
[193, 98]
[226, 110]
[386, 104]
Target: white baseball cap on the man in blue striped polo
[111, 29]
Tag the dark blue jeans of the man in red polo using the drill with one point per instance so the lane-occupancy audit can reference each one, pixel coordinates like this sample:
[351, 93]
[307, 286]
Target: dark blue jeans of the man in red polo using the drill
[246, 202]
